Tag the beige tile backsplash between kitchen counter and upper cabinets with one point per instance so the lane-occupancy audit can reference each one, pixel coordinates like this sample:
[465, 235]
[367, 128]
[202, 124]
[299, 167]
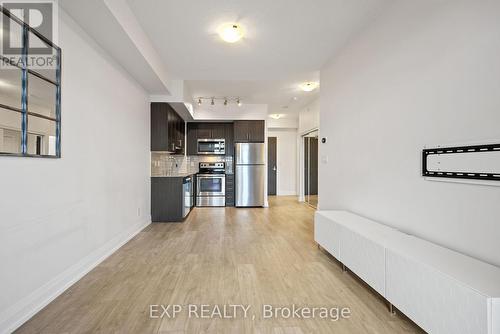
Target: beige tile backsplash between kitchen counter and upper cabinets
[164, 164]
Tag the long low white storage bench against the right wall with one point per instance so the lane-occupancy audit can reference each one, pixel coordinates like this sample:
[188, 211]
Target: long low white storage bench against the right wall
[439, 289]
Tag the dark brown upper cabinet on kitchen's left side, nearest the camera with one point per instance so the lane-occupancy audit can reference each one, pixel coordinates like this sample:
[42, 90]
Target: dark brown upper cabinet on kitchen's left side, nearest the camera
[167, 129]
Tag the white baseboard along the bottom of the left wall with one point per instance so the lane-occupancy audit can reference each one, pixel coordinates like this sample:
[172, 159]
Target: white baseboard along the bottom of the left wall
[23, 310]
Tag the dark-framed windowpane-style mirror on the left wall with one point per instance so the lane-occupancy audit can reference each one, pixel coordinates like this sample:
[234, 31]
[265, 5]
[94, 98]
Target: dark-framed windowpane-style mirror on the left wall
[30, 91]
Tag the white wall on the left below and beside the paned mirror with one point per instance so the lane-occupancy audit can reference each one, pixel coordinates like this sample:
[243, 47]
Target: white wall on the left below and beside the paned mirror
[59, 217]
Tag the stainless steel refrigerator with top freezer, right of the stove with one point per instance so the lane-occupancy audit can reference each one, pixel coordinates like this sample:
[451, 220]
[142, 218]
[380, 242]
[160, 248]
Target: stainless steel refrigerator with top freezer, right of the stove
[250, 174]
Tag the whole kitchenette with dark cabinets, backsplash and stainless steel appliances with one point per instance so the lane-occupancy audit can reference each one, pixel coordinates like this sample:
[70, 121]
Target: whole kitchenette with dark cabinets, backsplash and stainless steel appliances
[204, 164]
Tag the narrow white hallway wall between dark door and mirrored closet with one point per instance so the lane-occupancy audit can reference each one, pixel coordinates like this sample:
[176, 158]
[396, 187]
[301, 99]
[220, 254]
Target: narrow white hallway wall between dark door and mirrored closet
[286, 160]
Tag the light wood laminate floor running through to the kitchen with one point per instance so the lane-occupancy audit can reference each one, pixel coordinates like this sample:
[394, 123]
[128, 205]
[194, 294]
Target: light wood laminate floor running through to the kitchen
[219, 256]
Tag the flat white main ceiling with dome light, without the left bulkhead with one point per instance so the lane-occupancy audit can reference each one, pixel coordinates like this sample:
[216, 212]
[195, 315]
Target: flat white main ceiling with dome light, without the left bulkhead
[286, 43]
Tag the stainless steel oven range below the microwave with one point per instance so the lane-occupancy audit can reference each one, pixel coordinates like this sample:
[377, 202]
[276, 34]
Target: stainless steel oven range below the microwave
[211, 184]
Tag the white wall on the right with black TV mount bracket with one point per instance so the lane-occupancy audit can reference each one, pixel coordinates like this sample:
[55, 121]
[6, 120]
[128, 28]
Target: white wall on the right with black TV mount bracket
[426, 72]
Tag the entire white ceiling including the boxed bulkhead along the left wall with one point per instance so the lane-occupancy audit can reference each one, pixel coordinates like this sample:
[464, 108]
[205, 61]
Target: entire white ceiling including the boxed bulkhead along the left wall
[286, 43]
